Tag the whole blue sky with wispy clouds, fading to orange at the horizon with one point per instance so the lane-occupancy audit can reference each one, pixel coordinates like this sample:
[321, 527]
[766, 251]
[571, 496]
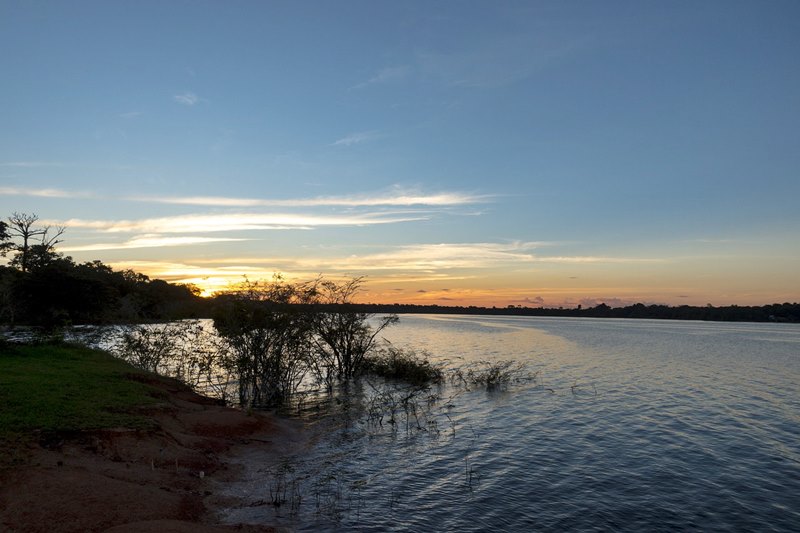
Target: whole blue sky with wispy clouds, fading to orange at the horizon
[489, 153]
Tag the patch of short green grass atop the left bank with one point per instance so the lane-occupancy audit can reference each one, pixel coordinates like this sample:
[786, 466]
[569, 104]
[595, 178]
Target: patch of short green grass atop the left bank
[64, 388]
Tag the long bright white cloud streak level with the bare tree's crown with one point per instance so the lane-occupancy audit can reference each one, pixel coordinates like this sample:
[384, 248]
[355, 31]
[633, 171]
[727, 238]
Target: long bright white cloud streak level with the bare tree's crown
[232, 222]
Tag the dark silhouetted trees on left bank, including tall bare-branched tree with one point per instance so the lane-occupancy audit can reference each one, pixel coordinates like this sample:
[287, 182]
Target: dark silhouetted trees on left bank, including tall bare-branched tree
[44, 288]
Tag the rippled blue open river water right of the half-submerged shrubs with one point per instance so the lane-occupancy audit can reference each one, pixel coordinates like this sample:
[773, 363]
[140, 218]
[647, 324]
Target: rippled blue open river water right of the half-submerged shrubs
[633, 425]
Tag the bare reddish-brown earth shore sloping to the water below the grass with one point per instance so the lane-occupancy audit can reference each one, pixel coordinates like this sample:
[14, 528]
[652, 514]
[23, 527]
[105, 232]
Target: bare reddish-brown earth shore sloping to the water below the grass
[126, 481]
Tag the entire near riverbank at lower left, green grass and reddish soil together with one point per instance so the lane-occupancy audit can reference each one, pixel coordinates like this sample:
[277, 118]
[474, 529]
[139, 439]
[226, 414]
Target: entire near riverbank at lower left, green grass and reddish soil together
[88, 443]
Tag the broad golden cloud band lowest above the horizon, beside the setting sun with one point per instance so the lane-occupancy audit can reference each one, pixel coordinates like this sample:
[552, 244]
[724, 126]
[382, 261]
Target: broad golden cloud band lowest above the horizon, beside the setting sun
[445, 263]
